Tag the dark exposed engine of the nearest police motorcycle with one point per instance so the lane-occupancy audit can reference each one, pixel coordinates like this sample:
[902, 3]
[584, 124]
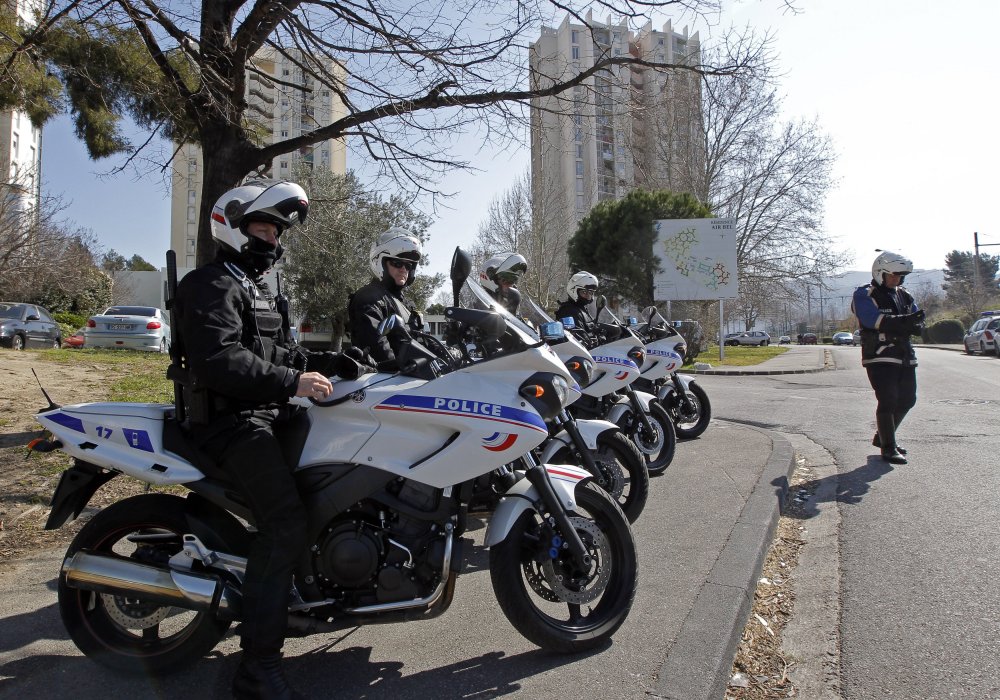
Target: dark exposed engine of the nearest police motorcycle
[372, 554]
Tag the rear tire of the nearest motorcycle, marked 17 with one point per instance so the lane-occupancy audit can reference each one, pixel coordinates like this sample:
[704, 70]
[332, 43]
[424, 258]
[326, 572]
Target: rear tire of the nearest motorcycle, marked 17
[114, 630]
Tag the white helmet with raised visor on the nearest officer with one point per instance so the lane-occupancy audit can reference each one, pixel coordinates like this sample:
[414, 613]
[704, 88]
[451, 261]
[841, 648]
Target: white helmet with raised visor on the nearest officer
[277, 202]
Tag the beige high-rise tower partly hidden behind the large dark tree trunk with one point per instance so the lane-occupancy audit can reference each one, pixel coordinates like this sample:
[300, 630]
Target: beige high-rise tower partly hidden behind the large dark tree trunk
[284, 103]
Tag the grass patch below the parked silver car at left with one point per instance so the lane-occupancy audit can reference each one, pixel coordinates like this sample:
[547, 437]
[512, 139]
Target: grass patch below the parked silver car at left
[132, 376]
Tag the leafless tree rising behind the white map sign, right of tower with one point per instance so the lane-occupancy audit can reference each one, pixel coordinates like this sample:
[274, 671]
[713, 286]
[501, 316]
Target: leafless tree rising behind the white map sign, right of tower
[746, 163]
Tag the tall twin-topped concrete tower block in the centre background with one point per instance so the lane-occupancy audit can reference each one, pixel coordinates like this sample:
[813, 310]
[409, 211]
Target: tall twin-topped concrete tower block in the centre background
[625, 126]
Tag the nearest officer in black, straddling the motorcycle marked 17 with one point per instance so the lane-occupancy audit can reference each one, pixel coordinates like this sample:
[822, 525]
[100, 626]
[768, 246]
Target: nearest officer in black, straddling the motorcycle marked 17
[243, 369]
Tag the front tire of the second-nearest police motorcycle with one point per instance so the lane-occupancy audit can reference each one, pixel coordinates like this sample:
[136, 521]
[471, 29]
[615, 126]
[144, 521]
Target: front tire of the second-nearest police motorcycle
[624, 474]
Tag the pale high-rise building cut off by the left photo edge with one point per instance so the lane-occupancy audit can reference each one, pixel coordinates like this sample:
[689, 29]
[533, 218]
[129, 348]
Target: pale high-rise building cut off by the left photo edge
[20, 141]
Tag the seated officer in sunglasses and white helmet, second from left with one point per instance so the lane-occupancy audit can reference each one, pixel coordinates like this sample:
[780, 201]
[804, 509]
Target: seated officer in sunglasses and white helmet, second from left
[393, 260]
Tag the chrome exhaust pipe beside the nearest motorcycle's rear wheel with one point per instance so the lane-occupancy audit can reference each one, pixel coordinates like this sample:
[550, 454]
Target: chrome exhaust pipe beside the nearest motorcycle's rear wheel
[103, 573]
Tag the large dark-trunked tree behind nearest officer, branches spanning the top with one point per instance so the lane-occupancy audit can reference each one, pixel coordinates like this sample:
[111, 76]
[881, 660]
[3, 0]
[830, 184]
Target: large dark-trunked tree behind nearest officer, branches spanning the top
[412, 77]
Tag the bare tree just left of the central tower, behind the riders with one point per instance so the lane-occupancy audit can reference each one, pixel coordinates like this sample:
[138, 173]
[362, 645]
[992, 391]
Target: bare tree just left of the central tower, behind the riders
[514, 224]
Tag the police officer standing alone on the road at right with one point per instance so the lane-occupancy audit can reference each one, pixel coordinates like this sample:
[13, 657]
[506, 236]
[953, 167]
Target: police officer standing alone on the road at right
[888, 316]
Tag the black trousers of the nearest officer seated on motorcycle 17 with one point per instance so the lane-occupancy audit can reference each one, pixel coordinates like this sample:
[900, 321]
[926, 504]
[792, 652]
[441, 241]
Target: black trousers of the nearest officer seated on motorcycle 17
[249, 453]
